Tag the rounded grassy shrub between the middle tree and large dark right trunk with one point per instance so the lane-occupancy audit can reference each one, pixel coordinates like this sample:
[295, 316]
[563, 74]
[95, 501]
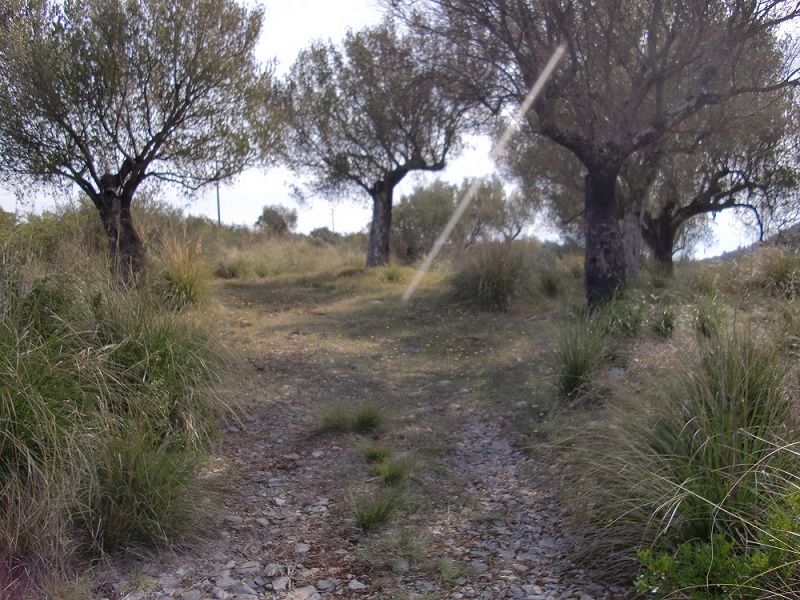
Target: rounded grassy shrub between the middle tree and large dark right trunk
[490, 277]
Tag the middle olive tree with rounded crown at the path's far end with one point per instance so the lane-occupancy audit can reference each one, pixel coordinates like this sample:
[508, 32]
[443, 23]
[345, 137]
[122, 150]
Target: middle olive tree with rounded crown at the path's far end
[368, 113]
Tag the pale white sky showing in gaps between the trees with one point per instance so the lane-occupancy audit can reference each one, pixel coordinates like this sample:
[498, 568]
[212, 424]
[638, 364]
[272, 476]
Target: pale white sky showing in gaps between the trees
[289, 26]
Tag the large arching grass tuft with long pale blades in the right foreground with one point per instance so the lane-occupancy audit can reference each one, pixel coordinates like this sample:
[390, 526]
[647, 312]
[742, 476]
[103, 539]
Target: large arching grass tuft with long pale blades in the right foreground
[695, 460]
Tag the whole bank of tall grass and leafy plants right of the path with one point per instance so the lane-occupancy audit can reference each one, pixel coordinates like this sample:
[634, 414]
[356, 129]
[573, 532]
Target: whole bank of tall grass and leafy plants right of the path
[684, 447]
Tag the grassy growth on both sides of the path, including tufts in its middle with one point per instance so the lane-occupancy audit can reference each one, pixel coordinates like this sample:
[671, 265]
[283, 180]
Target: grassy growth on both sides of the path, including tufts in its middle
[674, 408]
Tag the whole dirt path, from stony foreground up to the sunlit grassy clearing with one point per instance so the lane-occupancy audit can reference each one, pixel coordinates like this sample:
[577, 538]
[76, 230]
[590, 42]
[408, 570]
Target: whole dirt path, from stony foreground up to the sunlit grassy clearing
[474, 522]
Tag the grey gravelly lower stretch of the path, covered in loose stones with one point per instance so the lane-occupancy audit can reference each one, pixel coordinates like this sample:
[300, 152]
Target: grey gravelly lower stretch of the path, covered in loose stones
[483, 527]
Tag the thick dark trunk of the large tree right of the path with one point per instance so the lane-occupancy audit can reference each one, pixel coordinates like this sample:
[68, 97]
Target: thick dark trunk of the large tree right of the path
[605, 257]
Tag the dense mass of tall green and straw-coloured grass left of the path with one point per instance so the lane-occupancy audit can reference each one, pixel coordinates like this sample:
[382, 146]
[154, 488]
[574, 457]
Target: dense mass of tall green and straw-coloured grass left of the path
[106, 404]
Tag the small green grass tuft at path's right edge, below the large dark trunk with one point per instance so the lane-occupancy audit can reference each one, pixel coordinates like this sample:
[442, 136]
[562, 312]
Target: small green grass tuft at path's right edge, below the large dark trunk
[582, 348]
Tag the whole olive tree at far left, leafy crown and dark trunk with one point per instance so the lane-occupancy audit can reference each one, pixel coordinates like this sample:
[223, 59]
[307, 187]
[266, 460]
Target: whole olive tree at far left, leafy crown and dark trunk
[108, 94]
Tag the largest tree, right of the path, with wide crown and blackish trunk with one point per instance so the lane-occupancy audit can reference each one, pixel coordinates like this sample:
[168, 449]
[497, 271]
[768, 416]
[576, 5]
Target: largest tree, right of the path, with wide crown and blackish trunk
[633, 73]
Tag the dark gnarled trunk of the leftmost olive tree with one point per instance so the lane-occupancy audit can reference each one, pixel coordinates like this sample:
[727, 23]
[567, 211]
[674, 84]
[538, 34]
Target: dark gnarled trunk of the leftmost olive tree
[125, 246]
